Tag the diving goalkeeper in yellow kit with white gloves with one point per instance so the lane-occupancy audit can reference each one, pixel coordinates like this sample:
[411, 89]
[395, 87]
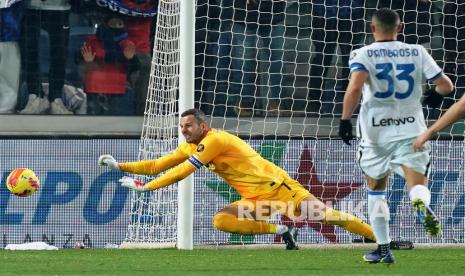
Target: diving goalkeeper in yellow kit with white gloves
[264, 187]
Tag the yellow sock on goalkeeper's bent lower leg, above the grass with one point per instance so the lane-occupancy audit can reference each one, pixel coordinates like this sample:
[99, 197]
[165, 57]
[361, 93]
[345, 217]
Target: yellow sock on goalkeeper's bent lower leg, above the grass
[230, 223]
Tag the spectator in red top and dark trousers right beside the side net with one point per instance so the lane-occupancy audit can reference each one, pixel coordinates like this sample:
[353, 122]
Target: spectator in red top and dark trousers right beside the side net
[139, 32]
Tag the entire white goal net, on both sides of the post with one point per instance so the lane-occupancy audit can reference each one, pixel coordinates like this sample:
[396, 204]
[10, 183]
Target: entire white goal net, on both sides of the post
[274, 72]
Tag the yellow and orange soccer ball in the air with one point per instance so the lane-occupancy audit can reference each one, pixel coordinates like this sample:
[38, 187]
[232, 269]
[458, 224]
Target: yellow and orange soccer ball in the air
[22, 182]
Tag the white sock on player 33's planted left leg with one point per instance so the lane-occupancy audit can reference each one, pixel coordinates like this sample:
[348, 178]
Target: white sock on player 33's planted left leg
[378, 211]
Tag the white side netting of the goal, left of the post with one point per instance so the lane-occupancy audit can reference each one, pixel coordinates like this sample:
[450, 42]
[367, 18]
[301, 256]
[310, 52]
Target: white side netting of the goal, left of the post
[153, 215]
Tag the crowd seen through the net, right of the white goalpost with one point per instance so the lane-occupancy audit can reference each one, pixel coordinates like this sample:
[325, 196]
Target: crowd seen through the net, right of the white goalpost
[276, 58]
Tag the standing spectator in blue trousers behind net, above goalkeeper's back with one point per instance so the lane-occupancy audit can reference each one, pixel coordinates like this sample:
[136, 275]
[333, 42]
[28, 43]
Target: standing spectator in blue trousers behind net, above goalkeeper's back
[254, 22]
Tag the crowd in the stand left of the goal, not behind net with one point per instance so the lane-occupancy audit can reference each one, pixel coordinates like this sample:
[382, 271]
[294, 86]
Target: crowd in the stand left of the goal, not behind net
[68, 57]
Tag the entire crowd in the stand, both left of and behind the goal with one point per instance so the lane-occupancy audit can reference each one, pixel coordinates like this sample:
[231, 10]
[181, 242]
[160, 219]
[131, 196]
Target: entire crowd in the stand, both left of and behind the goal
[88, 57]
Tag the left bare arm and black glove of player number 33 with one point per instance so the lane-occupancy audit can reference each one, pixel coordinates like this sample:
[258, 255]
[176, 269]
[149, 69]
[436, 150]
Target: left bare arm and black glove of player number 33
[351, 100]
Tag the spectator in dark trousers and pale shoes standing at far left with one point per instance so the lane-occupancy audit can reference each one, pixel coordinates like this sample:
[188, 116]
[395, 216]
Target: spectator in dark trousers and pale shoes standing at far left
[52, 16]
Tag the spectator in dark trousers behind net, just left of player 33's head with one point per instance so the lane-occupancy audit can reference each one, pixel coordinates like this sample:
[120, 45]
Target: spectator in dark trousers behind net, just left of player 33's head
[334, 23]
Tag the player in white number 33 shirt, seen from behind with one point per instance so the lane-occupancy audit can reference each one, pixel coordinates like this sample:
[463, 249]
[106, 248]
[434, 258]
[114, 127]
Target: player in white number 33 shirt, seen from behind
[390, 75]
